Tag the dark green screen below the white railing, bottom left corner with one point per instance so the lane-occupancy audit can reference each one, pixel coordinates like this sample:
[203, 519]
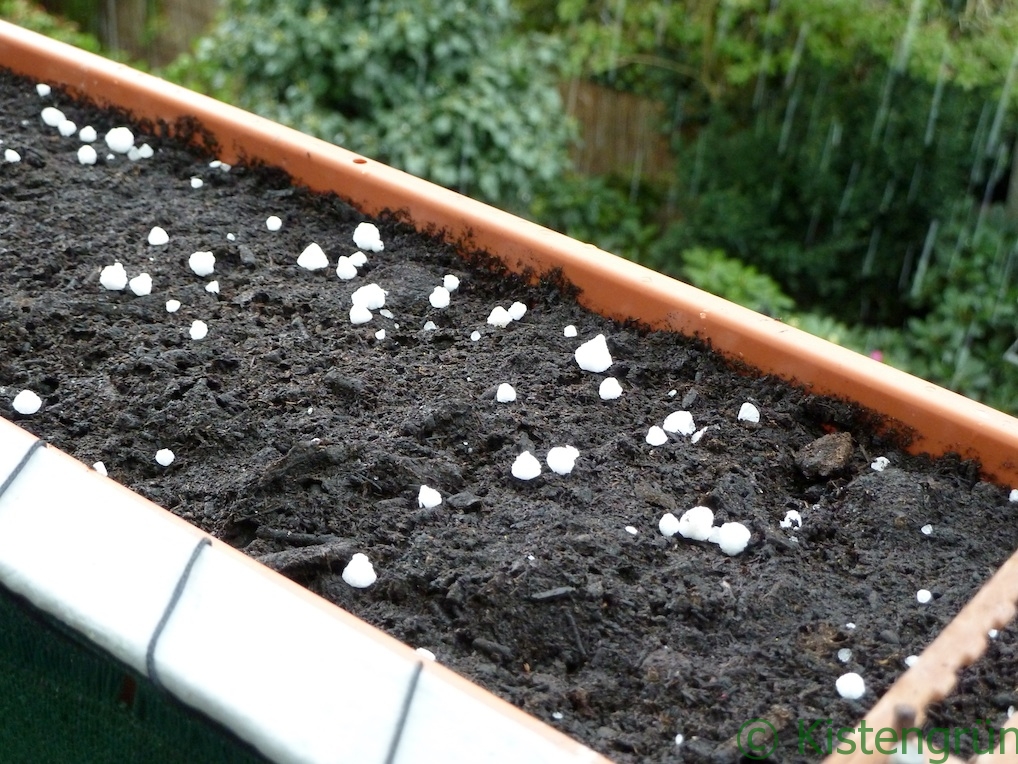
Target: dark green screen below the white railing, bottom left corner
[64, 701]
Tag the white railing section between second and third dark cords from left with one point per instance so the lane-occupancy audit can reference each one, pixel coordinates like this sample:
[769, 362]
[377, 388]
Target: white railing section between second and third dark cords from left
[302, 685]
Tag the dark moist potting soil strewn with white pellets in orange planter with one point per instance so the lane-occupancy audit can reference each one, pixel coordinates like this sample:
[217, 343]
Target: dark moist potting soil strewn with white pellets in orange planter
[301, 439]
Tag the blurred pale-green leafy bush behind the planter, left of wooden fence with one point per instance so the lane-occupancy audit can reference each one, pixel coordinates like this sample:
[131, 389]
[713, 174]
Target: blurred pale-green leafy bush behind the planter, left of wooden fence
[443, 89]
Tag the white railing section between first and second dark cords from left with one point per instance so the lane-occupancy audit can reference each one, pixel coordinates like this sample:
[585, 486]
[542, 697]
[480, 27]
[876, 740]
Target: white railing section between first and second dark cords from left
[76, 545]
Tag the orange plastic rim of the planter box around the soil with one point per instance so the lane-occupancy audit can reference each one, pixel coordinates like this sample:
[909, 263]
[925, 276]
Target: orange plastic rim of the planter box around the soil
[940, 421]
